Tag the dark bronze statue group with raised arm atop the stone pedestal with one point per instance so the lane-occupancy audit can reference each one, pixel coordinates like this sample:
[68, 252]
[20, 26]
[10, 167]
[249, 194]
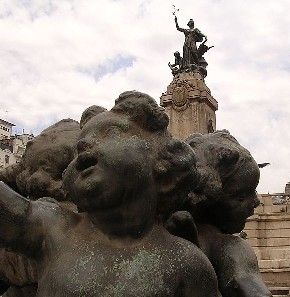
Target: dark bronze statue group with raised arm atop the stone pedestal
[192, 59]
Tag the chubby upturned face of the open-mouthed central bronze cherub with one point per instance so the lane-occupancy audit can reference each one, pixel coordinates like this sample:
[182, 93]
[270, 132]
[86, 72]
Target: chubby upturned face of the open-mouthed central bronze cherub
[113, 164]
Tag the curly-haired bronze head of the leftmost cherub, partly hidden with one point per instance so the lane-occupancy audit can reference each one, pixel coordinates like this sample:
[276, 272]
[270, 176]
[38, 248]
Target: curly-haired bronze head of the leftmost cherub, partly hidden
[56, 142]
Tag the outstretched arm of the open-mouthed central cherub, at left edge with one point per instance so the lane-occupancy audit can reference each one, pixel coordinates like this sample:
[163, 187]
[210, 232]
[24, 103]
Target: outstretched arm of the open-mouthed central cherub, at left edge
[17, 231]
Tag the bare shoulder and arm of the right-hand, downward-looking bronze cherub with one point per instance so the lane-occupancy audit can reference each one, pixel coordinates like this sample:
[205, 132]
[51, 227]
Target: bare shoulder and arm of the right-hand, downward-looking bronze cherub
[235, 264]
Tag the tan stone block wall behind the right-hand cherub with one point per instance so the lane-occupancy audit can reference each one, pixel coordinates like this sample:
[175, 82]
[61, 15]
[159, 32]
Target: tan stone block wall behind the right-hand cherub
[268, 232]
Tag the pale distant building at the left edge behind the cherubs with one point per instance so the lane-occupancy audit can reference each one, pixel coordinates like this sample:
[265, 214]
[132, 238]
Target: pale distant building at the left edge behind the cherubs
[12, 147]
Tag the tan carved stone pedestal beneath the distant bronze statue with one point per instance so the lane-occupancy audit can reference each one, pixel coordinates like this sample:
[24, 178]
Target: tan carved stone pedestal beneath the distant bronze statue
[189, 105]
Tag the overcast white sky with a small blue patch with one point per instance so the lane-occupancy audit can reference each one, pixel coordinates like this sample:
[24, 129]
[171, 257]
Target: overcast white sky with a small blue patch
[58, 57]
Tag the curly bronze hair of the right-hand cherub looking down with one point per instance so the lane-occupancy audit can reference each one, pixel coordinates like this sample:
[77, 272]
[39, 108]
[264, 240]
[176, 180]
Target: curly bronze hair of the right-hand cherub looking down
[219, 157]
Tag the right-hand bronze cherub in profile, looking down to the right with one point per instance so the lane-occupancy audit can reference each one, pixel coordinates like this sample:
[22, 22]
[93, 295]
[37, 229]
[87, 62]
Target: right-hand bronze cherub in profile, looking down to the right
[220, 206]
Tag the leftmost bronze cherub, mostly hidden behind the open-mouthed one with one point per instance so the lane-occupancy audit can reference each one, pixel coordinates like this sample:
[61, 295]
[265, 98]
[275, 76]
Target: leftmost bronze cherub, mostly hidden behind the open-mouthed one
[38, 174]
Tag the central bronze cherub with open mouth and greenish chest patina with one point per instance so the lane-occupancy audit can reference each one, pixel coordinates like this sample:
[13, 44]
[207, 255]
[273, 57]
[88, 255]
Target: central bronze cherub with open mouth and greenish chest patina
[128, 171]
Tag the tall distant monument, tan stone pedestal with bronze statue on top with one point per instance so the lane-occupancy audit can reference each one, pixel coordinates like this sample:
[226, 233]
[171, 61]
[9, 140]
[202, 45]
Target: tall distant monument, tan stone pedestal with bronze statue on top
[187, 100]
